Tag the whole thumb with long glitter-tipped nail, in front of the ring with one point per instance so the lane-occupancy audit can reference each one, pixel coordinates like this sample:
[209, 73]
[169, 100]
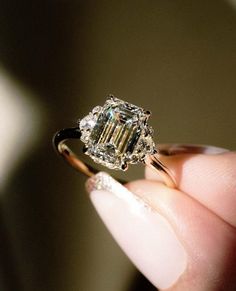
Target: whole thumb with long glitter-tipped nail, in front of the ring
[168, 235]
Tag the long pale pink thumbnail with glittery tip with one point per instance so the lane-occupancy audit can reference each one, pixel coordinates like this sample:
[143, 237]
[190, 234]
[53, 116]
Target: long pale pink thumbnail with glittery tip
[144, 235]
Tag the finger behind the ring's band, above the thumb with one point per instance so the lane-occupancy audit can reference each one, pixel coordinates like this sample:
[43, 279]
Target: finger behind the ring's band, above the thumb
[210, 179]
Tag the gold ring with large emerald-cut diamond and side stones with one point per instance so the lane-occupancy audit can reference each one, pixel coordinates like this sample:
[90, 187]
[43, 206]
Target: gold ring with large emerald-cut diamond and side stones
[114, 135]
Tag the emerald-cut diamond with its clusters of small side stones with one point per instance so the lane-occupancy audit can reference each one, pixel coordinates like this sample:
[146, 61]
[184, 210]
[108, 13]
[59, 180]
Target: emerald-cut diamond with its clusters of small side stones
[117, 134]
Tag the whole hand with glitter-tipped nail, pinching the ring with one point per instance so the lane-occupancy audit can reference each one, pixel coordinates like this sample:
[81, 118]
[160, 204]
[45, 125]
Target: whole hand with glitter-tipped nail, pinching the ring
[179, 239]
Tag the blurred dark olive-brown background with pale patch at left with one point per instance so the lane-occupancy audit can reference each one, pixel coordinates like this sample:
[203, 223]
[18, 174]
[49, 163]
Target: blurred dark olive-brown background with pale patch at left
[58, 59]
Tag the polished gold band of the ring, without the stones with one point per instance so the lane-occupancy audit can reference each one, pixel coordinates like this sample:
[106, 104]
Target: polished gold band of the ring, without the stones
[74, 133]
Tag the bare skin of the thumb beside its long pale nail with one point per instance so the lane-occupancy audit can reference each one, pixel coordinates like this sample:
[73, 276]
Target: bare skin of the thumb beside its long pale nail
[209, 241]
